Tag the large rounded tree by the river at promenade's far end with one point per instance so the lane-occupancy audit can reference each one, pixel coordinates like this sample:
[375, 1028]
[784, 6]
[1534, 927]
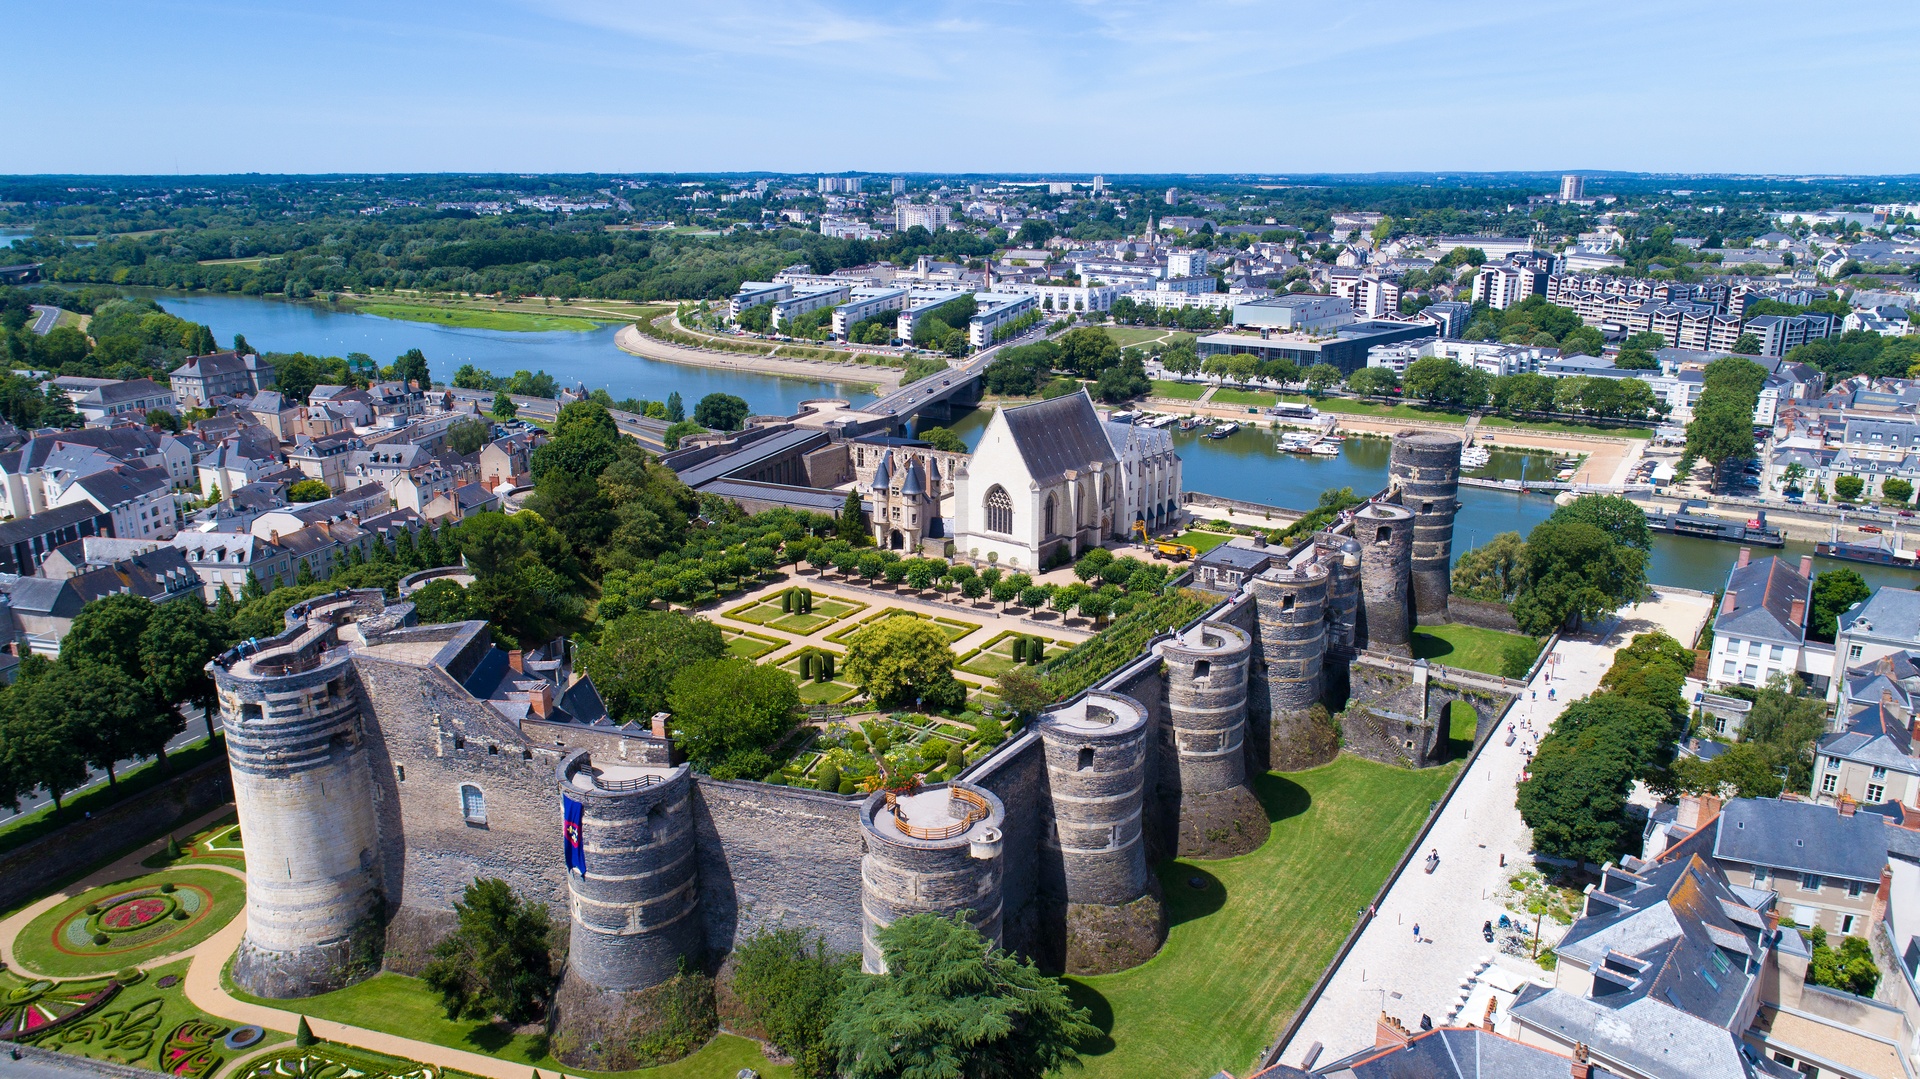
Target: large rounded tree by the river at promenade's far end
[1575, 571]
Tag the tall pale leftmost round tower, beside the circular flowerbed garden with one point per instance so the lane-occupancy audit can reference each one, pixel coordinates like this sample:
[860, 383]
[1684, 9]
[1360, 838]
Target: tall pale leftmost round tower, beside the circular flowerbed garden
[304, 796]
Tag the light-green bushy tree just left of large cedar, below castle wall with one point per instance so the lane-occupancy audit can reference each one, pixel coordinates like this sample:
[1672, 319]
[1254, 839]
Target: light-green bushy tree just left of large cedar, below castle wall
[792, 986]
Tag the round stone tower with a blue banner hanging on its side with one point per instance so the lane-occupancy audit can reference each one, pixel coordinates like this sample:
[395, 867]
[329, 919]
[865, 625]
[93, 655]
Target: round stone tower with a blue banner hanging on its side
[631, 888]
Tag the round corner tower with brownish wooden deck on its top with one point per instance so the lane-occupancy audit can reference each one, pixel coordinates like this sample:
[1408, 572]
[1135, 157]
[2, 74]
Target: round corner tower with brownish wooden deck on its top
[934, 851]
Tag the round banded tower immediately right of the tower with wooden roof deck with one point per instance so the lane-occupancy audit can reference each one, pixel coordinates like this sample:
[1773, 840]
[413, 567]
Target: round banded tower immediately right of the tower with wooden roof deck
[1097, 788]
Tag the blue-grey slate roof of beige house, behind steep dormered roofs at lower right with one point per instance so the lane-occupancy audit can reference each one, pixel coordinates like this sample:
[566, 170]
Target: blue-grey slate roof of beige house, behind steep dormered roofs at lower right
[1804, 838]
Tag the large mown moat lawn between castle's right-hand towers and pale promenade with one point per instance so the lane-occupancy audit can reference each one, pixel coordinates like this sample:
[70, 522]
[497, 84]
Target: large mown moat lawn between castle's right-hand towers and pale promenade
[1247, 947]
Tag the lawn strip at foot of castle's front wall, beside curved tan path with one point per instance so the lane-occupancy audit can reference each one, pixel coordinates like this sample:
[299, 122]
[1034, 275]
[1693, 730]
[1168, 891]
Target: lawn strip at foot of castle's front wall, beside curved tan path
[398, 1005]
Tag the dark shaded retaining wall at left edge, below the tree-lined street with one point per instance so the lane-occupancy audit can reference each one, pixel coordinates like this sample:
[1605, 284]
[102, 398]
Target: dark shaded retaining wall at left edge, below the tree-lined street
[36, 867]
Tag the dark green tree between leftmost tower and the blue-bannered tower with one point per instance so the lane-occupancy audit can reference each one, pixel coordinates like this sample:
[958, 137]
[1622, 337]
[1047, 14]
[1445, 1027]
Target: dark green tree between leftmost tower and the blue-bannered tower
[498, 959]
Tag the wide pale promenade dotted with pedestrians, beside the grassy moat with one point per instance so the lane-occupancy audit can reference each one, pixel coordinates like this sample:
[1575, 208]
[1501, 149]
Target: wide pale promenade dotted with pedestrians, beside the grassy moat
[1391, 971]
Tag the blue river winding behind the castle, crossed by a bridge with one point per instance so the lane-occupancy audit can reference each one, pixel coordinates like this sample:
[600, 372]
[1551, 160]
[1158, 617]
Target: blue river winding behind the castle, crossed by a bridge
[1243, 466]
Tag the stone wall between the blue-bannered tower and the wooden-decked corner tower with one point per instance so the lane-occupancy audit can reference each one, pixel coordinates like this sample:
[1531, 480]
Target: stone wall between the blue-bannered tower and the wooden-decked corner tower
[777, 857]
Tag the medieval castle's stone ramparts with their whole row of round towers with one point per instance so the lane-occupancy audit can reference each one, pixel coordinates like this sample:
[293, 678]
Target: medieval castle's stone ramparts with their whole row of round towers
[381, 765]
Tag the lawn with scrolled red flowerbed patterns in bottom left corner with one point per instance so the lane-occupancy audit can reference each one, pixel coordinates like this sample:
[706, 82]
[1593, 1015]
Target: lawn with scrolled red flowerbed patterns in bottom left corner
[135, 1024]
